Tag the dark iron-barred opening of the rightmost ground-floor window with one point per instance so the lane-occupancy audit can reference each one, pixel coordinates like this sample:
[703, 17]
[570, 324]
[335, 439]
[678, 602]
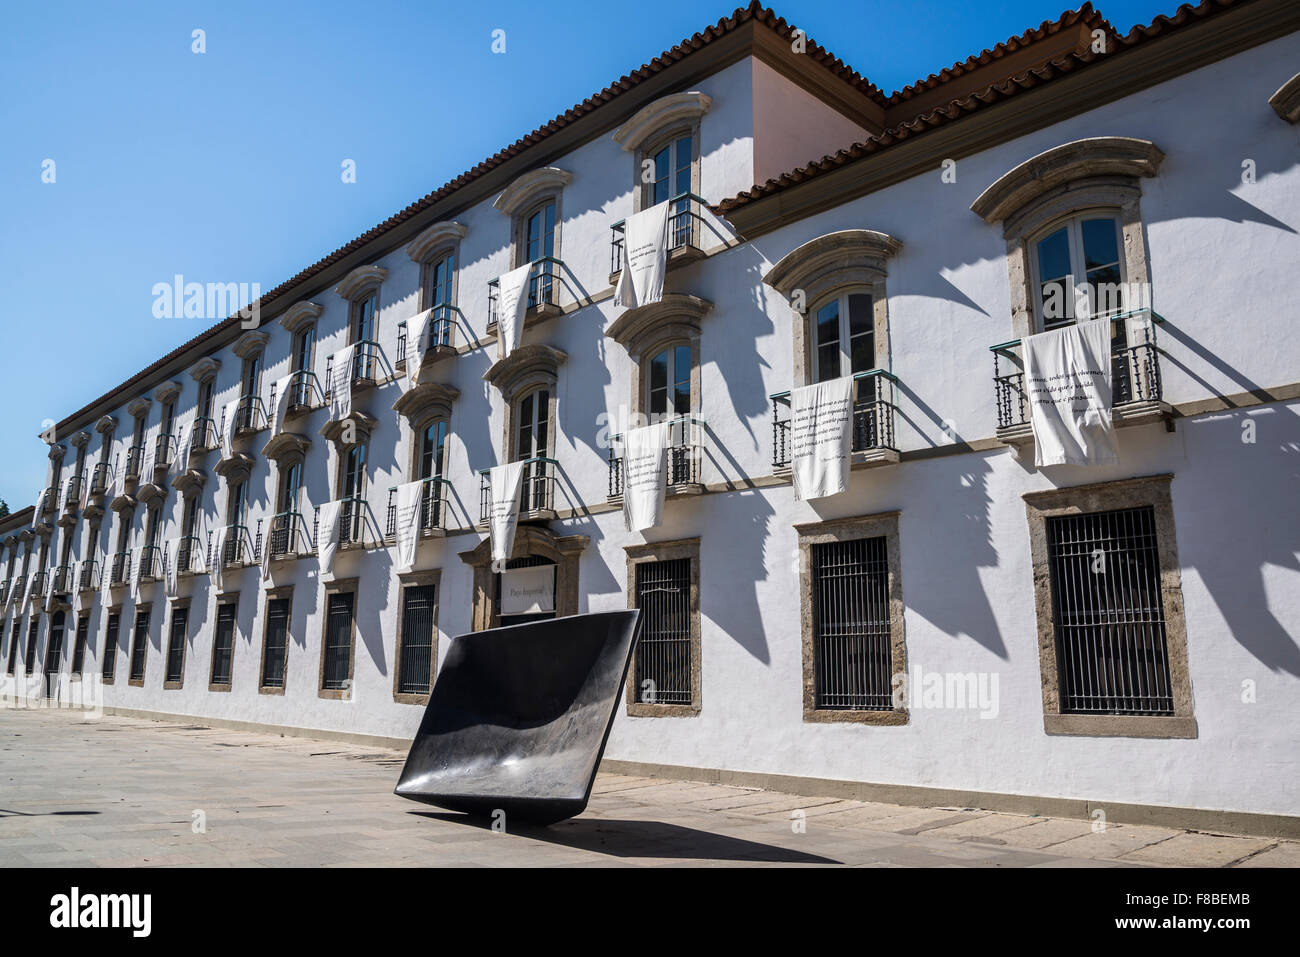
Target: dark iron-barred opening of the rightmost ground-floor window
[1108, 613]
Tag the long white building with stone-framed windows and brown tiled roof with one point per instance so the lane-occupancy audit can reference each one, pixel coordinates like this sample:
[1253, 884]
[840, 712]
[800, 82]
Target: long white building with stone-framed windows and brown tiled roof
[959, 626]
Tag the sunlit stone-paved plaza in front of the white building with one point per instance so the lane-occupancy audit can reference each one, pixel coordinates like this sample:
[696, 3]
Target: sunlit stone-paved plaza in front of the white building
[125, 793]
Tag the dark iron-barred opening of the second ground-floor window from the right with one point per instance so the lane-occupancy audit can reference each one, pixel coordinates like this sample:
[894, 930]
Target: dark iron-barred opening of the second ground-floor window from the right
[851, 626]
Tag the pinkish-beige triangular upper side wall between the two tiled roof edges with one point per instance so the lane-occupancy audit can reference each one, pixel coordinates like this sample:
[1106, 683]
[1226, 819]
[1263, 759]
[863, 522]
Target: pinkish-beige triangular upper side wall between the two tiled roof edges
[792, 127]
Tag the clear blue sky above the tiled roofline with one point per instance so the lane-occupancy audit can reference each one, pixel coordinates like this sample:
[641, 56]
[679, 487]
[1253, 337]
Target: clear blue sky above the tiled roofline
[226, 166]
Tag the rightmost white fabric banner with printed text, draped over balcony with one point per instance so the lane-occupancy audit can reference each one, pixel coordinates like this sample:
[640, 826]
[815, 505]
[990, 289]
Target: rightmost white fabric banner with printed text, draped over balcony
[1068, 384]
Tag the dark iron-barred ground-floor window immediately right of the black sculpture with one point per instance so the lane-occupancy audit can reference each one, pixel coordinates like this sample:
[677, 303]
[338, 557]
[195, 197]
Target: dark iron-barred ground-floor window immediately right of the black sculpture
[664, 668]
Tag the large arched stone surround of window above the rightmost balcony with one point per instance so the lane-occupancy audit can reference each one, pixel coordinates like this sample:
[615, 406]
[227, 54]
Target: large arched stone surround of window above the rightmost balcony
[1098, 174]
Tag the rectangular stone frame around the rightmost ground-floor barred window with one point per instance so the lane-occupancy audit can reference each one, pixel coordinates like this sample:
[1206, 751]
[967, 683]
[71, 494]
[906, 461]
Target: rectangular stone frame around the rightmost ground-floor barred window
[1126, 493]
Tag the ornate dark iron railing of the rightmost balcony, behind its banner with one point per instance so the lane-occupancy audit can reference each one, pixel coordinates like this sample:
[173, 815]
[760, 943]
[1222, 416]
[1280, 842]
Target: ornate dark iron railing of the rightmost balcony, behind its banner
[1134, 369]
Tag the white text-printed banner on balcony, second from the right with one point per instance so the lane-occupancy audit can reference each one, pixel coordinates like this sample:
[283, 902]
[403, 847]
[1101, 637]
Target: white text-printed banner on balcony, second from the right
[822, 438]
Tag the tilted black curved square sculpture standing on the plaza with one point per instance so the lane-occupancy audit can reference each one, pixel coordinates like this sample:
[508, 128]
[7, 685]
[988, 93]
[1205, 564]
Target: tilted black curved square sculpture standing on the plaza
[519, 717]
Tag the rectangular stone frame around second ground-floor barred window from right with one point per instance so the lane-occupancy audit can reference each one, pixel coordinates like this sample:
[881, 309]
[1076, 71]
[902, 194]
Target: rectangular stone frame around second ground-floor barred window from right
[882, 525]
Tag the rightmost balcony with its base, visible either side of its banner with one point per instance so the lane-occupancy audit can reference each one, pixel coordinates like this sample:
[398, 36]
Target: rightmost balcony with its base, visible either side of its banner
[1137, 397]
